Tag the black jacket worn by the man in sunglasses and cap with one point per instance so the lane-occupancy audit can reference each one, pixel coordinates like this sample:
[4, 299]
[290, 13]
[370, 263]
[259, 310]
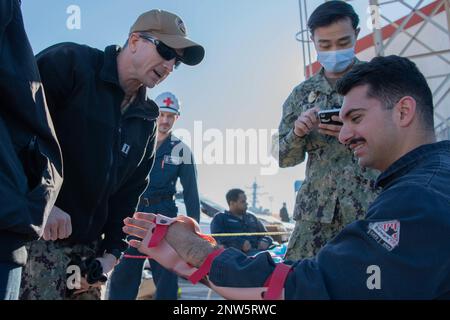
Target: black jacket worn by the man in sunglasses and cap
[107, 155]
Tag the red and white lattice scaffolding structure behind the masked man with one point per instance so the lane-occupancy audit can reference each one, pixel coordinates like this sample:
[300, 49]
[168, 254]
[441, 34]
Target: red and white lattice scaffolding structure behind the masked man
[404, 37]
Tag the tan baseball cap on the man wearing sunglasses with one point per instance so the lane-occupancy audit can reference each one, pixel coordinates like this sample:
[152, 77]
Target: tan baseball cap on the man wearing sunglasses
[170, 29]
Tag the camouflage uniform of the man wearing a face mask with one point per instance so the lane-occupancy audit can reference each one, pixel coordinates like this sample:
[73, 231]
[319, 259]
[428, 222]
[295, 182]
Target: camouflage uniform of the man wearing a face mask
[336, 190]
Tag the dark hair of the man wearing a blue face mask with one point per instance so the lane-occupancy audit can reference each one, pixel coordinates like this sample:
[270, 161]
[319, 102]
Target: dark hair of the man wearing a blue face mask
[331, 12]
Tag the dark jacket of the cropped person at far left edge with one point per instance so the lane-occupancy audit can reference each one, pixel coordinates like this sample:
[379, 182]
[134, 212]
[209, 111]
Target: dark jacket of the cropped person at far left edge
[30, 158]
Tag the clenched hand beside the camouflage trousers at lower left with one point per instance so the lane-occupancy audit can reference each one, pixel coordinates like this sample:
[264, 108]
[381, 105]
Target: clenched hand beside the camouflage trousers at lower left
[58, 226]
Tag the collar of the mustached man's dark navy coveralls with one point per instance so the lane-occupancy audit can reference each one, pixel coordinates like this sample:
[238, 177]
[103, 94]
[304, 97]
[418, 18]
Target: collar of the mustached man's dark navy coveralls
[409, 161]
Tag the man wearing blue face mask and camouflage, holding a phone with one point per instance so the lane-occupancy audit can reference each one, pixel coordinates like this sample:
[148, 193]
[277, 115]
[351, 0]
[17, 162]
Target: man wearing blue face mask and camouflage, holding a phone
[336, 191]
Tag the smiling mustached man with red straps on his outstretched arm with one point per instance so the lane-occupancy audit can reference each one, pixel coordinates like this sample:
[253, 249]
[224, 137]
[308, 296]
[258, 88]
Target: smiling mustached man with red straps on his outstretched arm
[400, 250]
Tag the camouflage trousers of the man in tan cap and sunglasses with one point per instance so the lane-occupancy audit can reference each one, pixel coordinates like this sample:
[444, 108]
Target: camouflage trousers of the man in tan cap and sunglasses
[45, 275]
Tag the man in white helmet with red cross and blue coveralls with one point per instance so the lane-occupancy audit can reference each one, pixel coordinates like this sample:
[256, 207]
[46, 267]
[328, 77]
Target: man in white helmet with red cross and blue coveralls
[173, 161]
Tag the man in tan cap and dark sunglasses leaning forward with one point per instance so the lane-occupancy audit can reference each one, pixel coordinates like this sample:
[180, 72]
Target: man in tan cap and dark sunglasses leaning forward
[107, 130]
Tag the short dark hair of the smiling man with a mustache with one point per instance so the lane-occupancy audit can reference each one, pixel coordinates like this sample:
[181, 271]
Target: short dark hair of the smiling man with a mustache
[390, 79]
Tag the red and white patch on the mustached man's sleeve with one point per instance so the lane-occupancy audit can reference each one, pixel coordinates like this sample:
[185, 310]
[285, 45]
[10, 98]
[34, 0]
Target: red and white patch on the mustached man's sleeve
[386, 233]
